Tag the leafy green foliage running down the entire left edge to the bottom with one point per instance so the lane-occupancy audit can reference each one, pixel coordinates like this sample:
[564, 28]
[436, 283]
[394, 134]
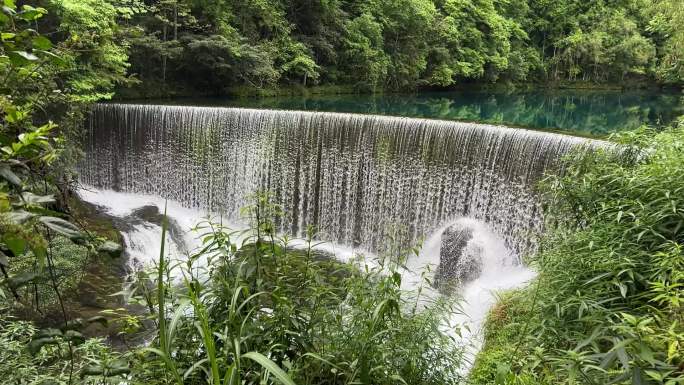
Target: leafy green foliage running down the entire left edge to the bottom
[43, 74]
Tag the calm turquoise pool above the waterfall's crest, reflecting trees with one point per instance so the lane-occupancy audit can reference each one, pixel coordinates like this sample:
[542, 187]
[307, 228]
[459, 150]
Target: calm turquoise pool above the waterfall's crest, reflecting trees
[594, 113]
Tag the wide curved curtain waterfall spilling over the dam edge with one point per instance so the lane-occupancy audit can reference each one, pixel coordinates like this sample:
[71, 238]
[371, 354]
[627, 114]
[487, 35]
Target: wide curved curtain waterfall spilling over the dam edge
[351, 176]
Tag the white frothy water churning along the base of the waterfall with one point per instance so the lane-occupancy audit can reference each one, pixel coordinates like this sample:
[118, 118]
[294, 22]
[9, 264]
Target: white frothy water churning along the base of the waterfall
[501, 268]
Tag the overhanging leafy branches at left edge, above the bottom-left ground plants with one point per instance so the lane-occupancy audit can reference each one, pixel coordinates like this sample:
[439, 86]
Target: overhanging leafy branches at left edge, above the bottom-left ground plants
[32, 69]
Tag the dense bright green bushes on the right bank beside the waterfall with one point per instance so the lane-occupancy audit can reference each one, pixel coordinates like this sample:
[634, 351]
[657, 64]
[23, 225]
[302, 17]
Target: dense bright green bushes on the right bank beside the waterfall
[607, 305]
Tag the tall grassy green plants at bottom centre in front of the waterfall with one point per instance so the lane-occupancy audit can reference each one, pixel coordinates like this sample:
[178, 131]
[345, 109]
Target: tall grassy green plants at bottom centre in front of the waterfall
[250, 308]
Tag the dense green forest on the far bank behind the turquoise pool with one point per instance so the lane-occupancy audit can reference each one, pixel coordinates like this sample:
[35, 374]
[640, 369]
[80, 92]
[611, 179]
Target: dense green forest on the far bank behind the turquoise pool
[212, 46]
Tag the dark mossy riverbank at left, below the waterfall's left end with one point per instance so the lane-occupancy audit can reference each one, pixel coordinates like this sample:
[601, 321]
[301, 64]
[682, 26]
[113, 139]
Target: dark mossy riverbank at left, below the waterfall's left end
[86, 278]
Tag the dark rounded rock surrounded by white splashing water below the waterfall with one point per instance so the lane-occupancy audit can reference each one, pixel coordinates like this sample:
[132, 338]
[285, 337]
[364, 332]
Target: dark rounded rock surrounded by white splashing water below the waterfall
[459, 259]
